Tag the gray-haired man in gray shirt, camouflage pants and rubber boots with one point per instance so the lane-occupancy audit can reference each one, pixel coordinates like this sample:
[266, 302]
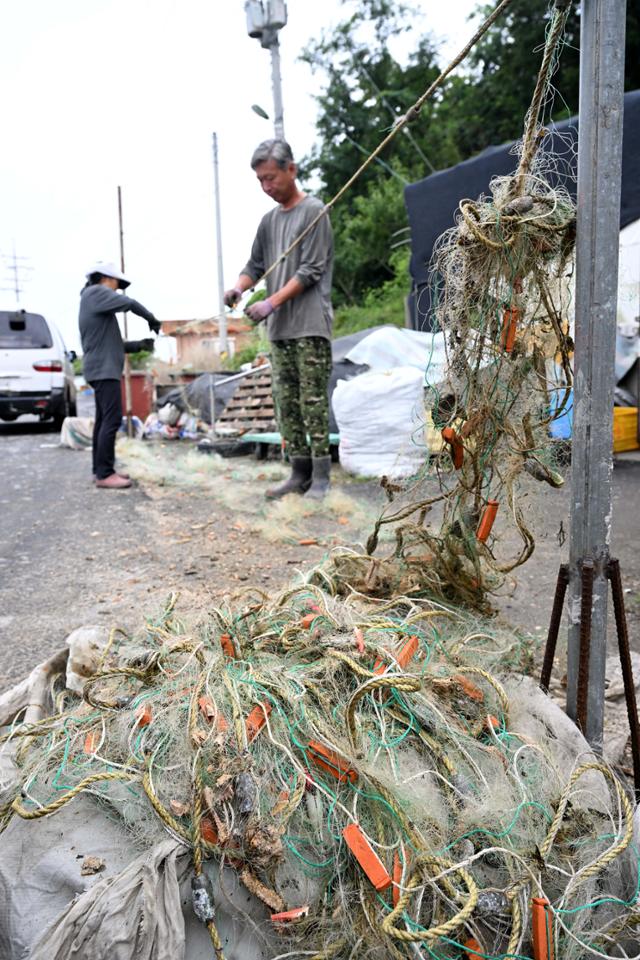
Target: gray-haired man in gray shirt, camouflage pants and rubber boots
[298, 314]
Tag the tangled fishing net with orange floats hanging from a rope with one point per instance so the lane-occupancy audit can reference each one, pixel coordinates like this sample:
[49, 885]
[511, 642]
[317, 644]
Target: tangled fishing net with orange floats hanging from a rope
[499, 280]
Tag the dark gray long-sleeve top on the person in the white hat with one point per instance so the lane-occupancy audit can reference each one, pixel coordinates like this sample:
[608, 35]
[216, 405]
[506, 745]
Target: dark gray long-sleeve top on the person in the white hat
[102, 344]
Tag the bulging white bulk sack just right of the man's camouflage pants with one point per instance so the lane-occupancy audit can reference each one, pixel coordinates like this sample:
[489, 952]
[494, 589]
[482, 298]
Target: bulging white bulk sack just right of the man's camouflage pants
[380, 420]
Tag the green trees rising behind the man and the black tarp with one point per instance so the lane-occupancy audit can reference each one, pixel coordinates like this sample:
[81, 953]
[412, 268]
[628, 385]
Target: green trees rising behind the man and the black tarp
[366, 90]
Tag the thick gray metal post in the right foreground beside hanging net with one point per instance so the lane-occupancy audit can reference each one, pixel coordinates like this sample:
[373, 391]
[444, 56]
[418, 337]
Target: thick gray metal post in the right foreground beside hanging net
[598, 232]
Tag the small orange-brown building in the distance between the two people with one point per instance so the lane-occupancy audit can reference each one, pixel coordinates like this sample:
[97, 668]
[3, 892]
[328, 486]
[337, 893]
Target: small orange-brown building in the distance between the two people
[198, 341]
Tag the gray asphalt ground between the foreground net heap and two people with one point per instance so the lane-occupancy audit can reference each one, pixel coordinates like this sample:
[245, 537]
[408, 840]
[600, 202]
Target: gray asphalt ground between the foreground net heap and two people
[72, 555]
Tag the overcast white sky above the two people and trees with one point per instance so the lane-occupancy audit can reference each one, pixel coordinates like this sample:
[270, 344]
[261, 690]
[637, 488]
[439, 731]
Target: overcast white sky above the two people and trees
[98, 93]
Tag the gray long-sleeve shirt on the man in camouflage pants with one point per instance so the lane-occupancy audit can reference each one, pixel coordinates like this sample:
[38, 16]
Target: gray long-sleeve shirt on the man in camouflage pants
[309, 314]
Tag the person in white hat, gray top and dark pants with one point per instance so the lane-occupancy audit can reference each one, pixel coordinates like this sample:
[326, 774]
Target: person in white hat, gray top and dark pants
[103, 352]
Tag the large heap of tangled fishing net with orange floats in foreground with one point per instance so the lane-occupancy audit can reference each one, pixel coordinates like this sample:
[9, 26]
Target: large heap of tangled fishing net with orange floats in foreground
[373, 774]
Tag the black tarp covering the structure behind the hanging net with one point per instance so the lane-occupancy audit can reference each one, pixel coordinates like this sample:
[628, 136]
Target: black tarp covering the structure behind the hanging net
[432, 203]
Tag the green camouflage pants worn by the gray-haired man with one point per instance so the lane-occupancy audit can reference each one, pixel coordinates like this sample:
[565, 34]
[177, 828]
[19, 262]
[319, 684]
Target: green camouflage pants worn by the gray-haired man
[301, 370]
